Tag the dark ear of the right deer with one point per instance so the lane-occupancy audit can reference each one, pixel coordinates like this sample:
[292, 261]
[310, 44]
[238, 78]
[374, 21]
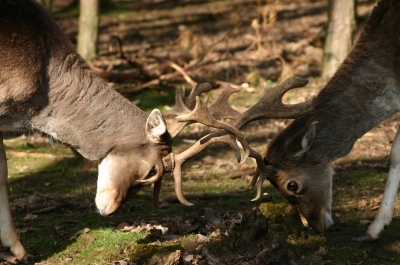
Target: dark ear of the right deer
[302, 142]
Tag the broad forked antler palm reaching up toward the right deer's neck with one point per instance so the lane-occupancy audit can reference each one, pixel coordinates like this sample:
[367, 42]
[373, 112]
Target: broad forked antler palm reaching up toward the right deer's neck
[270, 105]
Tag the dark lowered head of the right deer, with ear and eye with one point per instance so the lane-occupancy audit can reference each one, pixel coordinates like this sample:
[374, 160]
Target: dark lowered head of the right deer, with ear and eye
[296, 181]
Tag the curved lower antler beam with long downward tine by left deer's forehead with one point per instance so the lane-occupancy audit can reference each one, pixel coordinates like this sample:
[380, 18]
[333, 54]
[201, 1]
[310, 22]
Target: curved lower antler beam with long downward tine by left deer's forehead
[180, 158]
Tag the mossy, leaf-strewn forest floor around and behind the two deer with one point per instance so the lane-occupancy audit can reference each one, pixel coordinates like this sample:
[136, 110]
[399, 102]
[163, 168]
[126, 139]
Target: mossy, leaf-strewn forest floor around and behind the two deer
[170, 43]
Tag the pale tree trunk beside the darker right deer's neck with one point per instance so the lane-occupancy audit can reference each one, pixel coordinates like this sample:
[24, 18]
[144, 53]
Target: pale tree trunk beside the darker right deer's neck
[339, 35]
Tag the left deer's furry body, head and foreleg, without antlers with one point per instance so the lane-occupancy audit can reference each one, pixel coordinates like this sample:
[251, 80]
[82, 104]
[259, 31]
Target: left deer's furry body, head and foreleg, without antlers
[46, 85]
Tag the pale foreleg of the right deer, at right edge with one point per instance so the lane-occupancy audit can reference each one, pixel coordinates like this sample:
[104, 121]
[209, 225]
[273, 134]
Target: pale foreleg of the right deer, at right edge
[385, 212]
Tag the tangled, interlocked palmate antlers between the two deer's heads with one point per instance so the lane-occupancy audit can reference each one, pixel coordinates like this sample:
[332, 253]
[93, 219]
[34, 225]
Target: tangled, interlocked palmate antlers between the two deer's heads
[192, 109]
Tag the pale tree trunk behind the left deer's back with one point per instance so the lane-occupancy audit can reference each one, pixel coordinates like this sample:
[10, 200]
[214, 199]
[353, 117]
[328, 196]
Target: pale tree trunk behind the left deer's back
[88, 29]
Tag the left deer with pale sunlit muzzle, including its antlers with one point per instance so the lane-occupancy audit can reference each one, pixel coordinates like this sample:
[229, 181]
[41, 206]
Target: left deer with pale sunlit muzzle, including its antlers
[45, 85]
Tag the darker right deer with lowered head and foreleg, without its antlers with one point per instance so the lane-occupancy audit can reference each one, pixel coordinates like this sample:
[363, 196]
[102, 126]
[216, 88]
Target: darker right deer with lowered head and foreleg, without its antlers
[364, 91]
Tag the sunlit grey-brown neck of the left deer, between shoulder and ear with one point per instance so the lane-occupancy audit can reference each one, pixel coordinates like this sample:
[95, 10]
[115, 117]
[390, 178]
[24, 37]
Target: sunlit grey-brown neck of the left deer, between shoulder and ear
[83, 112]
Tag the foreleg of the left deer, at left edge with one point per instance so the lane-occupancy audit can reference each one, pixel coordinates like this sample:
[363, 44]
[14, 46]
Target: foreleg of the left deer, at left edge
[8, 233]
